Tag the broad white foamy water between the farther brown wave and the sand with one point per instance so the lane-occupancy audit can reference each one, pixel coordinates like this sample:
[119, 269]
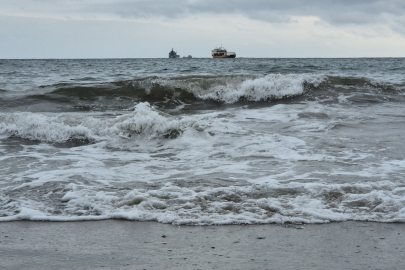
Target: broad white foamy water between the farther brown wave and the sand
[284, 163]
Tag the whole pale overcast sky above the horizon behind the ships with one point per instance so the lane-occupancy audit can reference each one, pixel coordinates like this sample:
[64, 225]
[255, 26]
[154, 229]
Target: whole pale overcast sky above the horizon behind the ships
[251, 28]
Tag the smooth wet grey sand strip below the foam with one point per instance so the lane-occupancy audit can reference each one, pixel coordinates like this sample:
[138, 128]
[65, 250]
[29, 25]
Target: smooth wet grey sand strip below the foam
[116, 244]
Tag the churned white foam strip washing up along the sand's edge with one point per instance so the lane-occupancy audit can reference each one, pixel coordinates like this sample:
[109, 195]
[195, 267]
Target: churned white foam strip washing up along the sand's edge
[310, 203]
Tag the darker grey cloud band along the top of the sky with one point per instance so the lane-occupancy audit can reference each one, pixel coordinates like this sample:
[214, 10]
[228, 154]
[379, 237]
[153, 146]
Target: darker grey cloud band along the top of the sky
[335, 12]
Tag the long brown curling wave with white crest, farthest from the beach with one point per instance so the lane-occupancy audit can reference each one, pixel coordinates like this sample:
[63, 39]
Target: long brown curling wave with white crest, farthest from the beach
[178, 91]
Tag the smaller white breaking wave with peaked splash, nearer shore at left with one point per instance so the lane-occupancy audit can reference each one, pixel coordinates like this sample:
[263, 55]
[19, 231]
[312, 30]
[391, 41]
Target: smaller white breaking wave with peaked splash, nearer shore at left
[144, 121]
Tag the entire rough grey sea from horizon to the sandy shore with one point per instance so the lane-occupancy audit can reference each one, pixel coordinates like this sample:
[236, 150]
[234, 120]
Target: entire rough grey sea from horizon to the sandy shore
[203, 141]
